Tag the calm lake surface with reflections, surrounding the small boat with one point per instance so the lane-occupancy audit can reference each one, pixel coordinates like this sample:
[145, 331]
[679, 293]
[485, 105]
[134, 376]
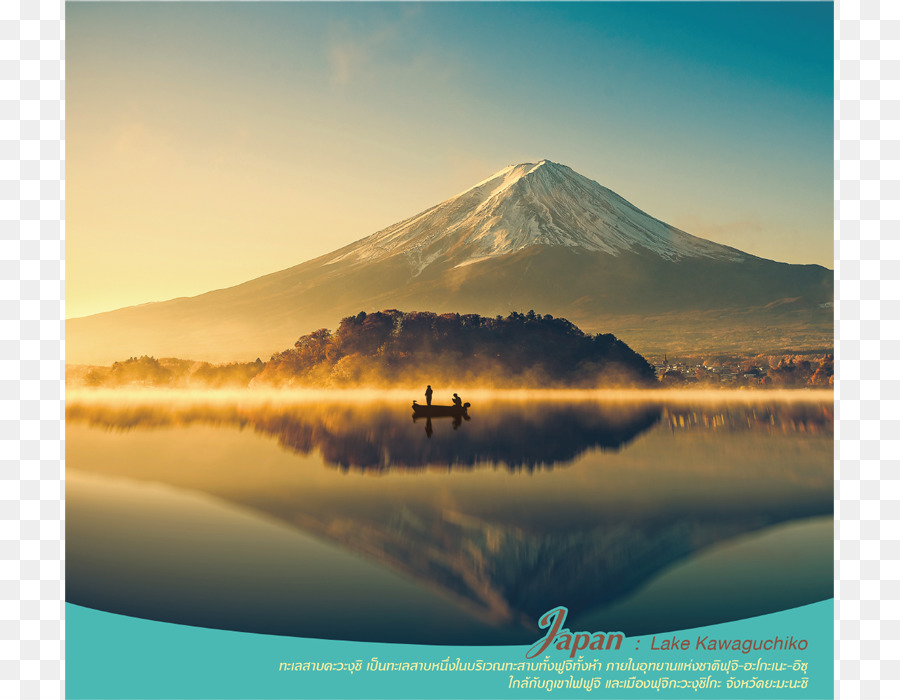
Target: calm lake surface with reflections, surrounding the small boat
[350, 520]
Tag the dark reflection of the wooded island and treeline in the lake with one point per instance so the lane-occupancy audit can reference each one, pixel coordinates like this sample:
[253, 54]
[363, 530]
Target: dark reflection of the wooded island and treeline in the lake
[379, 437]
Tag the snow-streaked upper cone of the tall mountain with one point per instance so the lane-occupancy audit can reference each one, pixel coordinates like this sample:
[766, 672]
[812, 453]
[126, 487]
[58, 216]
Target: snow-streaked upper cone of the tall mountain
[529, 204]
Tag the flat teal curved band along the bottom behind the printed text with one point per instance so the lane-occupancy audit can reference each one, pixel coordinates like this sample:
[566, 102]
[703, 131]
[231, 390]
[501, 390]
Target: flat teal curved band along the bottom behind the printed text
[115, 656]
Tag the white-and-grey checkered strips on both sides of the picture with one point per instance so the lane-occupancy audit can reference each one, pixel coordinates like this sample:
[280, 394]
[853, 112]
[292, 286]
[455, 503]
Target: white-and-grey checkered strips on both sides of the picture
[867, 243]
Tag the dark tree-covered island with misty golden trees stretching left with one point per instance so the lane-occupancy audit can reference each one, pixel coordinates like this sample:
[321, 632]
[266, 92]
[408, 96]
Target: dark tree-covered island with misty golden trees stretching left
[393, 347]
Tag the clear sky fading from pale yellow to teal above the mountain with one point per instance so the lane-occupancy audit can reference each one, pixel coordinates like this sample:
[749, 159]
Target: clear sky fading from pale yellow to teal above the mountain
[211, 143]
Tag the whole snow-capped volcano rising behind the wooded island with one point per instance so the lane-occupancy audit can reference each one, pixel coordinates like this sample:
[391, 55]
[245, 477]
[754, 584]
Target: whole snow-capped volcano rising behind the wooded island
[532, 236]
